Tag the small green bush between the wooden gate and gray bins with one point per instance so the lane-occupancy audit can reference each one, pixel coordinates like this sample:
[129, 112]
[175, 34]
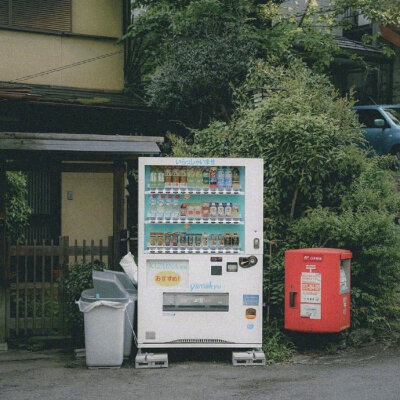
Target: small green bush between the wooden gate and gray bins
[78, 279]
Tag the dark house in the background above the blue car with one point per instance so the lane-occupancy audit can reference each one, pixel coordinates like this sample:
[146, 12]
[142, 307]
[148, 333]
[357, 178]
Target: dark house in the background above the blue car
[377, 79]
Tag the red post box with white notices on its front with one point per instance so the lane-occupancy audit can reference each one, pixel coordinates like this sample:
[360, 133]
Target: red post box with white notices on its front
[317, 290]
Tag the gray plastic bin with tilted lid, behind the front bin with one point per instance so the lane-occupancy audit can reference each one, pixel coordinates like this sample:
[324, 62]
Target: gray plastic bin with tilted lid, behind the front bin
[114, 283]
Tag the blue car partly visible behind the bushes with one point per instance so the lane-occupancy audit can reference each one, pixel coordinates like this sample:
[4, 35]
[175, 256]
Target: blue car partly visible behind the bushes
[382, 127]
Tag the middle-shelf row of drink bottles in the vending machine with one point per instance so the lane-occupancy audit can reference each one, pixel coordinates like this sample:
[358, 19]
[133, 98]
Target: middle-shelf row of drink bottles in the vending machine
[168, 206]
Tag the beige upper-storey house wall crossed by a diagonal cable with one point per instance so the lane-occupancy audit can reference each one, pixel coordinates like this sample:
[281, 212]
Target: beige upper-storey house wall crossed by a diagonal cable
[28, 53]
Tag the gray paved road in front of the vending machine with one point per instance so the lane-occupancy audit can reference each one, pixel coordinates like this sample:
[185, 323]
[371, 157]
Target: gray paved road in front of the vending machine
[372, 372]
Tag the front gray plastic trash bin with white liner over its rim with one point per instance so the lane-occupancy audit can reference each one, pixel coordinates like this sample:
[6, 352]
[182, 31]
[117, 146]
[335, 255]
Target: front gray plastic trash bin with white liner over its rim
[104, 328]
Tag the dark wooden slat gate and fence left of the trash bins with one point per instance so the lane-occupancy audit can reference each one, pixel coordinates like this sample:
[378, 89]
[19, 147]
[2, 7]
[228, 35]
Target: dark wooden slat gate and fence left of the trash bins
[34, 296]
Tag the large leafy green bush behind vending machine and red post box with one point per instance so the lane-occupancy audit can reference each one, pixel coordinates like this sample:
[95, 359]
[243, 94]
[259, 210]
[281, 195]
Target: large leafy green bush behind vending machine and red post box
[320, 186]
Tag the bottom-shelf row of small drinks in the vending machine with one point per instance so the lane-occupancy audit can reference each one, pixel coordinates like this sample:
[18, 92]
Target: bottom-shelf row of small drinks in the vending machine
[229, 240]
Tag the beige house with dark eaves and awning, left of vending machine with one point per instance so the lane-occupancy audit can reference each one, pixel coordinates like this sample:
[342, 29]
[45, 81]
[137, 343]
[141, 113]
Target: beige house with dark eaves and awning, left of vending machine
[66, 122]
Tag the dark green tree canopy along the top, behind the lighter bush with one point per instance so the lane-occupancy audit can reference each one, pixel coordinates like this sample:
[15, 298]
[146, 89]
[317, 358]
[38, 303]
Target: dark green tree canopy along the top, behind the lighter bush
[188, 55]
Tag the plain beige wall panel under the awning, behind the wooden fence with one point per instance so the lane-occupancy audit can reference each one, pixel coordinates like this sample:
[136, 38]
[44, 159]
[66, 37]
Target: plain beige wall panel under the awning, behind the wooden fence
[89, 215]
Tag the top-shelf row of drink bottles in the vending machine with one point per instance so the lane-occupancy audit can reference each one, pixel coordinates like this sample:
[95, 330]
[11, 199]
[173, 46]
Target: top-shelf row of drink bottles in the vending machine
[181, 177]
